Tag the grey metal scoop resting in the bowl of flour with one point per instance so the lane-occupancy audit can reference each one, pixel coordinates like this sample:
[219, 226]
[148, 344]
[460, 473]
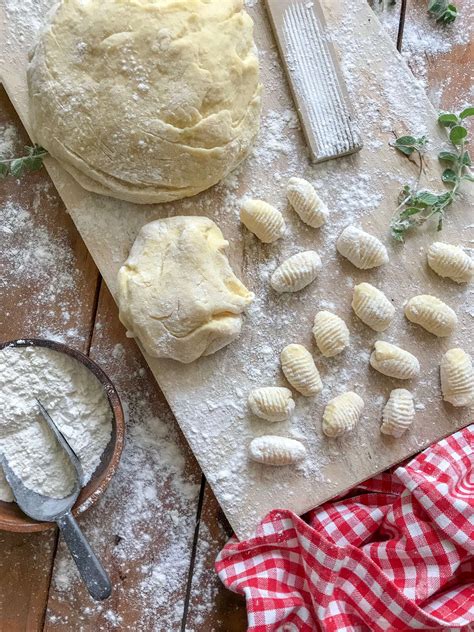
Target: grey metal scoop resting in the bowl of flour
[48, 509]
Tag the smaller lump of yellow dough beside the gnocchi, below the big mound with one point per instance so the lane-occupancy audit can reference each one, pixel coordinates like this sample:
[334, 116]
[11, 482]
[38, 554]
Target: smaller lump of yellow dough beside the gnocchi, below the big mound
[177, 293]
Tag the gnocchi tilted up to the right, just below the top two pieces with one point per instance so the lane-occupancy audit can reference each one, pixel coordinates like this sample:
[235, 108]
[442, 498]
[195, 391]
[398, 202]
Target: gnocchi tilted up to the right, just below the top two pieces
[296, 272]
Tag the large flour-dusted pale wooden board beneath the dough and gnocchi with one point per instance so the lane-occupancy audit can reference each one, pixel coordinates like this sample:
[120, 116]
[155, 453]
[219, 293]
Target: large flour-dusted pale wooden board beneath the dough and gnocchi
[208, 397]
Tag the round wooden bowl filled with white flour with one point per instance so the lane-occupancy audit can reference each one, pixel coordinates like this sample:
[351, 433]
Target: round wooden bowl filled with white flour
[85, 406]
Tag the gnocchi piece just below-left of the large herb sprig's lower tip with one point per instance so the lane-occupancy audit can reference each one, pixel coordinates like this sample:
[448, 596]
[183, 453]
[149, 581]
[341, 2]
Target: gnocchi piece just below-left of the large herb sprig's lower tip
[362, 249]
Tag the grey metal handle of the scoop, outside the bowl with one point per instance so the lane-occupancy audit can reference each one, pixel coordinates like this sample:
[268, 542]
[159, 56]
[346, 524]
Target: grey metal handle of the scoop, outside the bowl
[90, 568]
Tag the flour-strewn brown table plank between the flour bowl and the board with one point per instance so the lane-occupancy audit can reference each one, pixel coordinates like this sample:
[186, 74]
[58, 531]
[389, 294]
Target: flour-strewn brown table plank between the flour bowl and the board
[143, 528]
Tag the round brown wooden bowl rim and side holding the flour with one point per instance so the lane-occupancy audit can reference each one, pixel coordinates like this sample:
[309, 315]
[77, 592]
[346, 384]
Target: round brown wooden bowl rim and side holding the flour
[11, 516]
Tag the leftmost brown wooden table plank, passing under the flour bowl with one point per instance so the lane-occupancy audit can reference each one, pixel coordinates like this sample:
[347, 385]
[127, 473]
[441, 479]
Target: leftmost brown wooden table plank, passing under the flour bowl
[47, 287]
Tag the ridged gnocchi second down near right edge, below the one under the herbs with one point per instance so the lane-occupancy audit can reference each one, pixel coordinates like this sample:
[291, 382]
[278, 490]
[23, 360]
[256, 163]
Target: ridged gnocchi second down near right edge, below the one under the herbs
[432, 314]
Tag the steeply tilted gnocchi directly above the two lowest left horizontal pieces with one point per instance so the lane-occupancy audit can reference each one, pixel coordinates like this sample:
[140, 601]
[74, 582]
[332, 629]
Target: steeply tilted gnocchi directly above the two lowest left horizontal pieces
[300, 370]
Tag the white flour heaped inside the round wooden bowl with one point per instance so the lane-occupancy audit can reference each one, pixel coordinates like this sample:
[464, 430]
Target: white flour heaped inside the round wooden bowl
[77, 403]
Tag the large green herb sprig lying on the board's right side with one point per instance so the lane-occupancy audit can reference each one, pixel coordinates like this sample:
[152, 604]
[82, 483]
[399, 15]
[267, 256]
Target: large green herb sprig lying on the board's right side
[418, 206]
